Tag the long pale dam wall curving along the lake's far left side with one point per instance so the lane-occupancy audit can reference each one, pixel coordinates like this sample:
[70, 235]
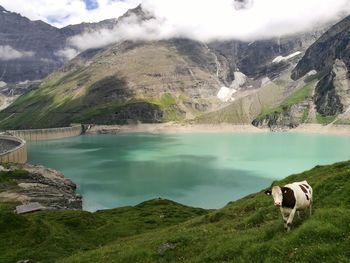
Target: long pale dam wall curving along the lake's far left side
[48, 134]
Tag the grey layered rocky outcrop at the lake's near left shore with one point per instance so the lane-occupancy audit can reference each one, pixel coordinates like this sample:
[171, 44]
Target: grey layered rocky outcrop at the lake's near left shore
[33, 183]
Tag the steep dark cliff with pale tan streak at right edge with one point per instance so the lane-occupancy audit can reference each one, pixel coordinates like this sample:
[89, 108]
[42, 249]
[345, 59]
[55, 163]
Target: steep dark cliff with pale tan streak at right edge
[330, 57]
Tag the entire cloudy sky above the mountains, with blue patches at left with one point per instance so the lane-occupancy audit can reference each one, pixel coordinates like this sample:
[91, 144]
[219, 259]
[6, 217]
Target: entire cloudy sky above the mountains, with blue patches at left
[203, 20]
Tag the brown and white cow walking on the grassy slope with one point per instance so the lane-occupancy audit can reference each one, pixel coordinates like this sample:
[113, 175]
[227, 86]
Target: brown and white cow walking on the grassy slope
[291, 198]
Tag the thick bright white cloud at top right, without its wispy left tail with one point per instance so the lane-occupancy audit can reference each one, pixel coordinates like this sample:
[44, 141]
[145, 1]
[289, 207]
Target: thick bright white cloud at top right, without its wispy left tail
[210, 20]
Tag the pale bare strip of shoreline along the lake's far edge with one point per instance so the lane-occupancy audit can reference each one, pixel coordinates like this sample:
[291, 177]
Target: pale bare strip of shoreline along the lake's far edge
[214, 128]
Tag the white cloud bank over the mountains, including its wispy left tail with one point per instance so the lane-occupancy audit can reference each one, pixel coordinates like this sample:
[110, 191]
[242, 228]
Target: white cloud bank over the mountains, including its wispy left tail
[218, 20]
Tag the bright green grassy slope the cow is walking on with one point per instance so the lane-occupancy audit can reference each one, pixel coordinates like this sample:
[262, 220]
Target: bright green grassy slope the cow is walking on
[251, 230]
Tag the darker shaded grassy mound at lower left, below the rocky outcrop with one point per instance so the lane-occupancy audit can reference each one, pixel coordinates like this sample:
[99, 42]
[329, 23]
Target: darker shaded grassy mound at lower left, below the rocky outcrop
[48, 236]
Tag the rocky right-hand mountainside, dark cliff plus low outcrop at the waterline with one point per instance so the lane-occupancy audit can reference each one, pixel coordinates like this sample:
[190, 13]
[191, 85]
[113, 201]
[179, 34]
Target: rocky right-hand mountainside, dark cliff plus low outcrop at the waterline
[327, 61]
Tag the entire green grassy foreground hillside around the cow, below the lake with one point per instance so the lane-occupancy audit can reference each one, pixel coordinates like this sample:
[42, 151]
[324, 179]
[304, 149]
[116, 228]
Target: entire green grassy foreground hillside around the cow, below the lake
[247, 230]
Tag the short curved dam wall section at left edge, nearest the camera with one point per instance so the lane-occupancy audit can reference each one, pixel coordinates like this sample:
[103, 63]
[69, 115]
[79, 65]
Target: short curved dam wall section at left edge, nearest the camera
[17, 152]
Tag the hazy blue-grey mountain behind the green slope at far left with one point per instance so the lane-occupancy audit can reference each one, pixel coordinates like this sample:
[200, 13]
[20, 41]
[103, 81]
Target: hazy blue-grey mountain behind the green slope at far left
[29, 48]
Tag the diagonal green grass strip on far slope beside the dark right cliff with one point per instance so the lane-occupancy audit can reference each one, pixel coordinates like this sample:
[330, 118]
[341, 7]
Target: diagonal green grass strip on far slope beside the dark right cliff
[296, 97]
